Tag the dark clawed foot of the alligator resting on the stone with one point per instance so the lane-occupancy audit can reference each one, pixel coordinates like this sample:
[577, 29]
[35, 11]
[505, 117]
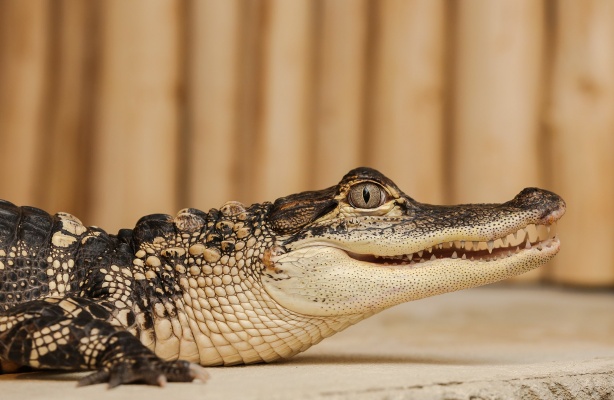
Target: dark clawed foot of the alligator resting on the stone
[151, 371]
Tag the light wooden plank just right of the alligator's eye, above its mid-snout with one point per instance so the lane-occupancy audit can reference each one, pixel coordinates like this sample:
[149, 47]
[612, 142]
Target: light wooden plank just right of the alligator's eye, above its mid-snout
[406, 123]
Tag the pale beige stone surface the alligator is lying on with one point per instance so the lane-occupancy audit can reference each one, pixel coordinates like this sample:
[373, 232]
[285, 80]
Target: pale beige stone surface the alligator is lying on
[489, 343]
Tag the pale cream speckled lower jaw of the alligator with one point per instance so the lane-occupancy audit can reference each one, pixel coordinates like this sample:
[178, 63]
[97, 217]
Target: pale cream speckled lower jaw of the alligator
[324, 281]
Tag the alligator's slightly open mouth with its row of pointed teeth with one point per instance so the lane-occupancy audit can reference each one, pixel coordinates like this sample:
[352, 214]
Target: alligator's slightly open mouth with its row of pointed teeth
[533, 236]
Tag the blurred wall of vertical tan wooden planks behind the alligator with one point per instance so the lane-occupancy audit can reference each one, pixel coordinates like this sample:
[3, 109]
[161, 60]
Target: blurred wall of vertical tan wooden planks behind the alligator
[114, 109]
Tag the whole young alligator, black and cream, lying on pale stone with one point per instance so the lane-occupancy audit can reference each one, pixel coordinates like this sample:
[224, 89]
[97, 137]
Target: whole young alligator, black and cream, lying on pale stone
[241, 285]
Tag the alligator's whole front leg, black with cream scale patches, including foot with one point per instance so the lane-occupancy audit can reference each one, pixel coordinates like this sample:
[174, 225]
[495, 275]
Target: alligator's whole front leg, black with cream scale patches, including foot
[78, 334]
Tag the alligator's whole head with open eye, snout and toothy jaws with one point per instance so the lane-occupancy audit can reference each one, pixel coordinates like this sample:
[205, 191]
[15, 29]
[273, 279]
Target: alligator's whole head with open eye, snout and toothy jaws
[364, 245]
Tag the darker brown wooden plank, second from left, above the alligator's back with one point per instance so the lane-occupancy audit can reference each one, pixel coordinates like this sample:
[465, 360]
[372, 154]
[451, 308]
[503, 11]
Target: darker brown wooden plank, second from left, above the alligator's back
[65, 161]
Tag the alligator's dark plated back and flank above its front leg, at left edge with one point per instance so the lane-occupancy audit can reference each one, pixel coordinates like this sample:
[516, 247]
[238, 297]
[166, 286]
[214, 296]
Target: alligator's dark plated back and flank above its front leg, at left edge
[45, 256]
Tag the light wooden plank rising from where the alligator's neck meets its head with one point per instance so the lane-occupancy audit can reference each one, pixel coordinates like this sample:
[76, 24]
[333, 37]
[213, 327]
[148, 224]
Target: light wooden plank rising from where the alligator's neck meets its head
[283, 148]
